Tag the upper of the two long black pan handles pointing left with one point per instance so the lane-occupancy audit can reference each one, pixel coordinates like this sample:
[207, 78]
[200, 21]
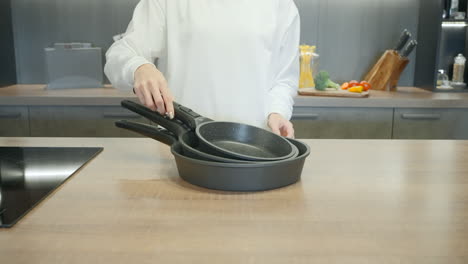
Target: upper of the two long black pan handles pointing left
[171, 125]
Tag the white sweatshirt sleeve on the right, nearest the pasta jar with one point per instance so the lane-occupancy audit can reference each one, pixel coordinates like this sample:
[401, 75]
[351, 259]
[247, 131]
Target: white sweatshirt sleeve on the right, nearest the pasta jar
[286, 76]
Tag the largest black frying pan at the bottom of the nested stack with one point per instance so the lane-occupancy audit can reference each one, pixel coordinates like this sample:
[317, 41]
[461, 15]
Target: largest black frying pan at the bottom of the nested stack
[233, 176]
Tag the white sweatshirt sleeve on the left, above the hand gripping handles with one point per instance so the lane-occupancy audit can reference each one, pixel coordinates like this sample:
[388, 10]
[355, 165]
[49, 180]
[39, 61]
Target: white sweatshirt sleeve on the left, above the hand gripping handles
[142, 43]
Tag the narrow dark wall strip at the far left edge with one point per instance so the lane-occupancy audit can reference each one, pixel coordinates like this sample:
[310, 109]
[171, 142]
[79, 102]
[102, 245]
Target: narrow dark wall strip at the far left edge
[7, 55]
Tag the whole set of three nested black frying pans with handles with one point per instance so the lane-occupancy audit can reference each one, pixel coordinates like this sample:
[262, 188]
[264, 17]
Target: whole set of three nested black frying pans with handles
[224, 156]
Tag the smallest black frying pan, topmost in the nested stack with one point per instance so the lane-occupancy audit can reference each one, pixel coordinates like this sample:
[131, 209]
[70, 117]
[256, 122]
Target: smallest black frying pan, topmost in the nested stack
[231, 140]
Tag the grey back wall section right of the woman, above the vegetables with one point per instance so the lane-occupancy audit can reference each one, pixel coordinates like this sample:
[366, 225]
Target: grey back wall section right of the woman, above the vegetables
[352, 34]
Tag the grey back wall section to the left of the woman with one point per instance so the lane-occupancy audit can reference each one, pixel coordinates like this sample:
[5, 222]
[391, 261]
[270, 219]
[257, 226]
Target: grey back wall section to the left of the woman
[39, 23]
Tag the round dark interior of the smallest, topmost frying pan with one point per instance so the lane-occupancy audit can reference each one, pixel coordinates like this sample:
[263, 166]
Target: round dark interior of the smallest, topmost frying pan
[244, 139]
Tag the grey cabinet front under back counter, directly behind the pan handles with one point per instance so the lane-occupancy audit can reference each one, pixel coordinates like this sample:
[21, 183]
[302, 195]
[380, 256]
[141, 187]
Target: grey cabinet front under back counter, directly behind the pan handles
[80, 121]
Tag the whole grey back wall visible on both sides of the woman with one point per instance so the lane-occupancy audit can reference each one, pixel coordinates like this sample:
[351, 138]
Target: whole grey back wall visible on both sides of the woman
[350, 34]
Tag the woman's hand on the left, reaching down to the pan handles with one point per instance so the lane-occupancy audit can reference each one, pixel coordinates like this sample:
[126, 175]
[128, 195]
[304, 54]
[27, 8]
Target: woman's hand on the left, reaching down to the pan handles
[152, 91]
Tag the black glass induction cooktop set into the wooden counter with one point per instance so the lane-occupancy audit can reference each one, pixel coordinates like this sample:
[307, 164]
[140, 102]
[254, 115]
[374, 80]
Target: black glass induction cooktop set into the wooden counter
[28, 175]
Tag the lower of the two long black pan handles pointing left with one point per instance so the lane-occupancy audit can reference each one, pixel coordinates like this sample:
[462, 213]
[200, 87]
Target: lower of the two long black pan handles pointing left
[160, 135]
